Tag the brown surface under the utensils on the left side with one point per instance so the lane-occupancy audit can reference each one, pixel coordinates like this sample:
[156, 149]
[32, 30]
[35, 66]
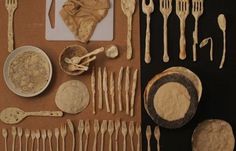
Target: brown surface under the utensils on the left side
[30, 30]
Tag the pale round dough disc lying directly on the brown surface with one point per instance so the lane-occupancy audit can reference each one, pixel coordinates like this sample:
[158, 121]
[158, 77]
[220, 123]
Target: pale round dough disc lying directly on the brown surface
[72, 97]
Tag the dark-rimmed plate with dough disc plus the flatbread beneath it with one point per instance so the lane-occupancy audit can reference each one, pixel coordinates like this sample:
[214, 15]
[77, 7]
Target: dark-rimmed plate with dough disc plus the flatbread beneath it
[171, 97]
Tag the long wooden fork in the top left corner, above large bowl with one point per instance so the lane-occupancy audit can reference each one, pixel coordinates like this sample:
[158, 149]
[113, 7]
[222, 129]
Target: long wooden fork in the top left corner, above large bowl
[11, 6]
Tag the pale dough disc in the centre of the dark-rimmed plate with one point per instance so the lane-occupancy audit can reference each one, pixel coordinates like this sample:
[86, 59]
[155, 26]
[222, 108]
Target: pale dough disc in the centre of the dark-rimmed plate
[172, 101]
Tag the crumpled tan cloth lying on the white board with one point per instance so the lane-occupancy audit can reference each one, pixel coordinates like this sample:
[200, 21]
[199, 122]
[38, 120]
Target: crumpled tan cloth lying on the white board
[82, 16]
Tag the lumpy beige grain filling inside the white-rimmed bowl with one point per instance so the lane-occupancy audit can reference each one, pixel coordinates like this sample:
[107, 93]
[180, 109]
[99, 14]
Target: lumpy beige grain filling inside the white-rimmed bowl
[29, 72]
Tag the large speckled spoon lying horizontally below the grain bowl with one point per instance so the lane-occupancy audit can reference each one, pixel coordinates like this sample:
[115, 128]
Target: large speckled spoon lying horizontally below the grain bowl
[13, 115]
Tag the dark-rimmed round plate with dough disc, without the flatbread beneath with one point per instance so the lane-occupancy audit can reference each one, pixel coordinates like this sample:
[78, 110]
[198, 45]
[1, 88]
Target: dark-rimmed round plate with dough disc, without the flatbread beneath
[165, 117]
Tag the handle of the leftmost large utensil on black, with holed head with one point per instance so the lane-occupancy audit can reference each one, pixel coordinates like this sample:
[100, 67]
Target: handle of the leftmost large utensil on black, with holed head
[147, 41]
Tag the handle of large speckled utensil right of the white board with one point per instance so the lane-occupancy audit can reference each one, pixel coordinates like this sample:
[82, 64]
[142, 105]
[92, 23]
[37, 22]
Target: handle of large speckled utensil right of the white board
[129, 39]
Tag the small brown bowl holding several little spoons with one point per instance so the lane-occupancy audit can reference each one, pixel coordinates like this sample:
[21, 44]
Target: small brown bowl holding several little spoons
[70, 52]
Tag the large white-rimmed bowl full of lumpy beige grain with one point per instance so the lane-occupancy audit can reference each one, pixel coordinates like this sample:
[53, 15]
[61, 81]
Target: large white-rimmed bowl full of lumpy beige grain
[27, 71]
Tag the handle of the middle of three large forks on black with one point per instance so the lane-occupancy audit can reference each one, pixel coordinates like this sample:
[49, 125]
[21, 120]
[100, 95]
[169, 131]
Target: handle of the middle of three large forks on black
[182, 44]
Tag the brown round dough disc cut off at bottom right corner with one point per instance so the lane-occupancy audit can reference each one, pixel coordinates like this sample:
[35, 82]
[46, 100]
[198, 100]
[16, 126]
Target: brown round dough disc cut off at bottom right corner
[213, 135]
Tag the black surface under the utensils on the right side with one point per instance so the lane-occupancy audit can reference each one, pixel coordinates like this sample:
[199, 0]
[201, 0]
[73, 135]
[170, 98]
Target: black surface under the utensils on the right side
[218, 99]
